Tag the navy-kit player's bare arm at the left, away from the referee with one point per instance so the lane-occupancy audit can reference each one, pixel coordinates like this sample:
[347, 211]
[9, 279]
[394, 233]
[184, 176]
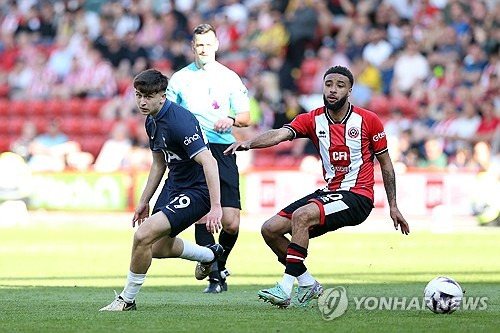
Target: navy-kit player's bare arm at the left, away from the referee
[155, 175]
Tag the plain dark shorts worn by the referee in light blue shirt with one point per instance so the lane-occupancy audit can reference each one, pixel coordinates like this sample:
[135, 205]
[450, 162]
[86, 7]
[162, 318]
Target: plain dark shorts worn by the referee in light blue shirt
[229, 176]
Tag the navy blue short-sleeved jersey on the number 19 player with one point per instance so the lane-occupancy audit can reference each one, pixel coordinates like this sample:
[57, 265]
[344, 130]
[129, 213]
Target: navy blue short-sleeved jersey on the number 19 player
[176, 132]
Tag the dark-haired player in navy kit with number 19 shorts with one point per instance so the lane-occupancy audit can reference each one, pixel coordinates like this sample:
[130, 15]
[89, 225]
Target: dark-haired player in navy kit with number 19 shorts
[190, 192]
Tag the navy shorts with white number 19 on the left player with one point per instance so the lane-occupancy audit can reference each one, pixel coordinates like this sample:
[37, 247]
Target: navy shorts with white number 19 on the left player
[183, 207]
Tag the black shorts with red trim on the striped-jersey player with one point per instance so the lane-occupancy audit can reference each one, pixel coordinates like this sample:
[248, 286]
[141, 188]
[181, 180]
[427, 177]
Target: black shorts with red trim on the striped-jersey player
[337, 209]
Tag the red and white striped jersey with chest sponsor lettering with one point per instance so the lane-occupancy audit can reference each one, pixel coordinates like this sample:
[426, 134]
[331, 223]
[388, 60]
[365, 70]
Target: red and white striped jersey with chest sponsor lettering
[347, 148]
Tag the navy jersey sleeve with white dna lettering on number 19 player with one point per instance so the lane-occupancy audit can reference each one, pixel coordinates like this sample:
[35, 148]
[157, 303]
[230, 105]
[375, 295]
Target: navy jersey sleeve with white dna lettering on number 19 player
[191, 137]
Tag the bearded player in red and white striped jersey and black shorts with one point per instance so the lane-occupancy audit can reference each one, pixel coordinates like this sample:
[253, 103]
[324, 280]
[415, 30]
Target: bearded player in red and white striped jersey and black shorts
[347, 139]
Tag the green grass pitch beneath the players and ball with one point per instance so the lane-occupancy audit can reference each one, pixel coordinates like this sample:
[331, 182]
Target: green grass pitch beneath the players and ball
[54, 278]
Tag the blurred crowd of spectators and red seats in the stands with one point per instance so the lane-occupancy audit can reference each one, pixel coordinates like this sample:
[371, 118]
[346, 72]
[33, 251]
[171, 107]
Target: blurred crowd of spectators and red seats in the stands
[428, 68]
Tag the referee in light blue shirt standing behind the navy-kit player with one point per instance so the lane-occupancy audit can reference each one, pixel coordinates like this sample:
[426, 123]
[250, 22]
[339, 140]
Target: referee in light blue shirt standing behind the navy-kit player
[213, 93]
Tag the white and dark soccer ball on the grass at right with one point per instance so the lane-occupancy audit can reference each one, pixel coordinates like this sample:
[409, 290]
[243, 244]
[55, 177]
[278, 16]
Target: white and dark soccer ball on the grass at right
[443, 295]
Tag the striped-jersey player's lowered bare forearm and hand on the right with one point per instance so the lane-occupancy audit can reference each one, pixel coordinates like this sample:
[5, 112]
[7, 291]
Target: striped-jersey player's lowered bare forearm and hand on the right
[390, 188]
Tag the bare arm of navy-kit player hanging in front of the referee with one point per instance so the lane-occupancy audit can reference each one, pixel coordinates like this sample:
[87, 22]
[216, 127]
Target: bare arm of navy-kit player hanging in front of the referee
[211, 171]
